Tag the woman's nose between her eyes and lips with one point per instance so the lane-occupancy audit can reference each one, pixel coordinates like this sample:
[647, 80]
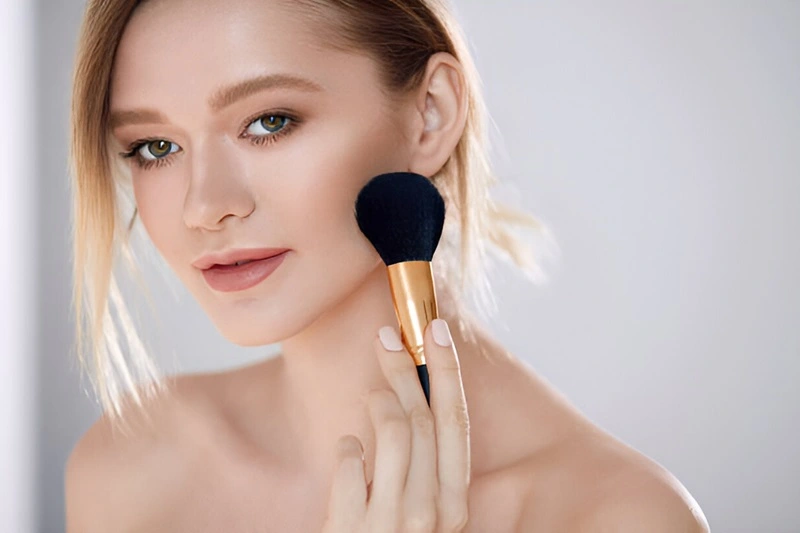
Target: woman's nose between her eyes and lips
[218, 187]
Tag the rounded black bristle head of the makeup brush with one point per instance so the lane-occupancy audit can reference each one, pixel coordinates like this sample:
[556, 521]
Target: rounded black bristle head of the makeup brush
[402, 215]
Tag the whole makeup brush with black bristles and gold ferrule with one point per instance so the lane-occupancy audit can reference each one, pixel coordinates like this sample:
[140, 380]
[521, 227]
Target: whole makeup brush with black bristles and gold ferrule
[402, 215]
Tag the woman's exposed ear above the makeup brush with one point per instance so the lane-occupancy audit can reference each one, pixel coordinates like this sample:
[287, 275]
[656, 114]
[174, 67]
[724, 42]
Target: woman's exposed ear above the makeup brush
[440, 114]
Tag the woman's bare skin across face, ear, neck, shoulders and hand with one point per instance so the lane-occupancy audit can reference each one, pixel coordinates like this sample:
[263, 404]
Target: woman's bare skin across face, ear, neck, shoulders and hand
[254, 449]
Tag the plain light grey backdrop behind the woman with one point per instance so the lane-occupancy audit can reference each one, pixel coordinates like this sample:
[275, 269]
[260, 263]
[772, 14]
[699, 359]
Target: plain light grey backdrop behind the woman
[660, 141]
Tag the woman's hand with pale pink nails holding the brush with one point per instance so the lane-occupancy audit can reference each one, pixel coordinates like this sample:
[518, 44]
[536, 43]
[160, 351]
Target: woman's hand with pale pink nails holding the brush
[422, 454]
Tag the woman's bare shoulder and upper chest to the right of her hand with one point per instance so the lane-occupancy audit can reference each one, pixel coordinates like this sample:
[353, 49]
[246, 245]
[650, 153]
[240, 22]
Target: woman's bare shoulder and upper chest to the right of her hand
[570, 474]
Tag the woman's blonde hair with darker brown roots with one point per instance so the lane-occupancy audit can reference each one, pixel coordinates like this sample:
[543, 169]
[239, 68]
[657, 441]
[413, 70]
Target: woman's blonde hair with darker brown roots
[412, 30]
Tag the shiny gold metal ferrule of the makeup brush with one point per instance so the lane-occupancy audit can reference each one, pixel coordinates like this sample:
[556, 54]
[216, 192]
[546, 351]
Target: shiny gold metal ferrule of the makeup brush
[414, 297]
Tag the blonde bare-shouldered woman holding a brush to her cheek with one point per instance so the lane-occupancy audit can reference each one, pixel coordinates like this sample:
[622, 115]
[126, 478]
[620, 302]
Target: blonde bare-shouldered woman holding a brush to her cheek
[253, 124]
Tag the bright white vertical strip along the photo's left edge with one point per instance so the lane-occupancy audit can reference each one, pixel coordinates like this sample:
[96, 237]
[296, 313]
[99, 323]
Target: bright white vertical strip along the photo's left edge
[17, 268]
